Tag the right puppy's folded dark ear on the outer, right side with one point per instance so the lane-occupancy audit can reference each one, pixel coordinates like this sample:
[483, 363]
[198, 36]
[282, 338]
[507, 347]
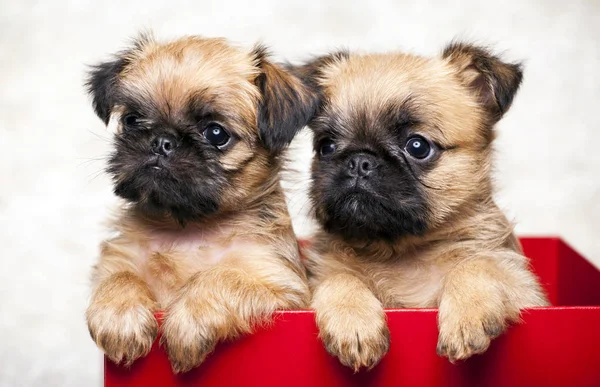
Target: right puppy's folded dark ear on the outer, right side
[494, 81]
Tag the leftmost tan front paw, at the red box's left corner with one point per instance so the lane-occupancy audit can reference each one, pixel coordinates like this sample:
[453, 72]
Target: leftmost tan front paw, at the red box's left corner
[123, 333]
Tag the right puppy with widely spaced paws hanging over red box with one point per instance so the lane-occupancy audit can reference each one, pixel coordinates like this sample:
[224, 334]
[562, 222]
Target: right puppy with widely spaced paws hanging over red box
[401, 188]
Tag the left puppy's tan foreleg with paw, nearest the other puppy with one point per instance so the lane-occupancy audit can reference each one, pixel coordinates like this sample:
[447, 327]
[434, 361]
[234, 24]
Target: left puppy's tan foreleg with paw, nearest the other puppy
[228, 300]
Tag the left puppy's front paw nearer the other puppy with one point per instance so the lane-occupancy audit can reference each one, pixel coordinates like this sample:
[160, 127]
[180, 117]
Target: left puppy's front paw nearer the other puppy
[190, 333]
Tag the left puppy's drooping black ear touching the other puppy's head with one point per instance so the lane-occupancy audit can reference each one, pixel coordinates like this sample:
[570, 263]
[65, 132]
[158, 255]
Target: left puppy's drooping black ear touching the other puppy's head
[286, 106]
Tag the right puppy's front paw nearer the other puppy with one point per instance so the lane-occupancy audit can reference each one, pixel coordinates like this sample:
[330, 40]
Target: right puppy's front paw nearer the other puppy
[358, 340]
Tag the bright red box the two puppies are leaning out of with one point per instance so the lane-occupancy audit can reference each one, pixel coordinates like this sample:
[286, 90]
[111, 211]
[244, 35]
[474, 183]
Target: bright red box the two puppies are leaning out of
[555, 346]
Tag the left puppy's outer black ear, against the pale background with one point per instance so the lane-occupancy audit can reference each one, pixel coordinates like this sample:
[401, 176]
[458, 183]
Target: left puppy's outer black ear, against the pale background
[102, 84]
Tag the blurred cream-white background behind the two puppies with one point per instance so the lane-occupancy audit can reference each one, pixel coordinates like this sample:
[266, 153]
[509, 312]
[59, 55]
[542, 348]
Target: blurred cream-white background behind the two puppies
[54, 196]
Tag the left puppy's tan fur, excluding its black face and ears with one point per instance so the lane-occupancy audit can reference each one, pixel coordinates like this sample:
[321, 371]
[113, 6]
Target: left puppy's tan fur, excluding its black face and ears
[216, 278]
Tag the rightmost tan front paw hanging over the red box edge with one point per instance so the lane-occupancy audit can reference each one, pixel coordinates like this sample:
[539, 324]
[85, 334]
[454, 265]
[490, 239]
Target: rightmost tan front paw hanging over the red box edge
[463, 336]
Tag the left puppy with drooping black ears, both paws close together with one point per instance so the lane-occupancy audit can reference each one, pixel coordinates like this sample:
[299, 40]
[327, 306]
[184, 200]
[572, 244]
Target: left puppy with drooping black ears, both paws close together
[204, 232]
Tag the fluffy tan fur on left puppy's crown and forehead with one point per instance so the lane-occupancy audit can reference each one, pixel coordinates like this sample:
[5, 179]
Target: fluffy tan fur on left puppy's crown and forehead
[170, 74]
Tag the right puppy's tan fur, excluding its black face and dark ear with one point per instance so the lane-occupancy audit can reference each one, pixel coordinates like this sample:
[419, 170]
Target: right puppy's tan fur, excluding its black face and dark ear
[468, 263]
